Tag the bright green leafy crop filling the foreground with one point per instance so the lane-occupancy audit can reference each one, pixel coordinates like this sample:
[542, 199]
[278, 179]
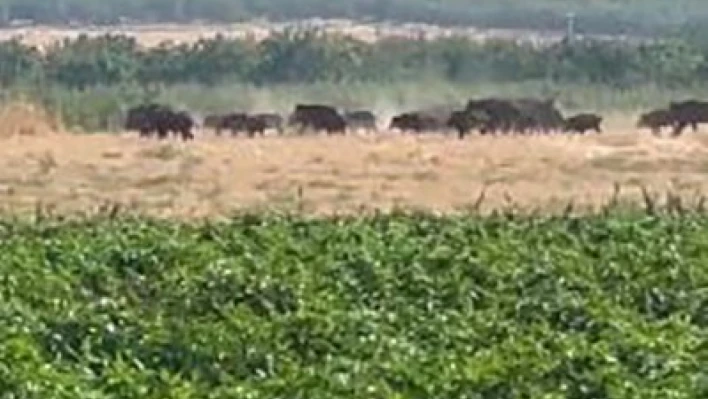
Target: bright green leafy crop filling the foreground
[390, 306]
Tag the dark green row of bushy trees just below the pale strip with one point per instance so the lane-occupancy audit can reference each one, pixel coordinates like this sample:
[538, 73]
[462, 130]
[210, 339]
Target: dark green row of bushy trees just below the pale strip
[305, 57]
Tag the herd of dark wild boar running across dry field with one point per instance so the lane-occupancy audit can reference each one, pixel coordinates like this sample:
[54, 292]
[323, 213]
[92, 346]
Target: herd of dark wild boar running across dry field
[487, 116]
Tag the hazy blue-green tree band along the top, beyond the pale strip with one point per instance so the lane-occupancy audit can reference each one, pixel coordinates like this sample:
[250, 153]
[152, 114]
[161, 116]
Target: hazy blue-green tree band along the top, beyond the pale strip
[626, 16]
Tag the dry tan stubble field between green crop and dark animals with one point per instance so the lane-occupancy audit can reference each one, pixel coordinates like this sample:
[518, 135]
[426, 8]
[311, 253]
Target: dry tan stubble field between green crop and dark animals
[215, 176]
